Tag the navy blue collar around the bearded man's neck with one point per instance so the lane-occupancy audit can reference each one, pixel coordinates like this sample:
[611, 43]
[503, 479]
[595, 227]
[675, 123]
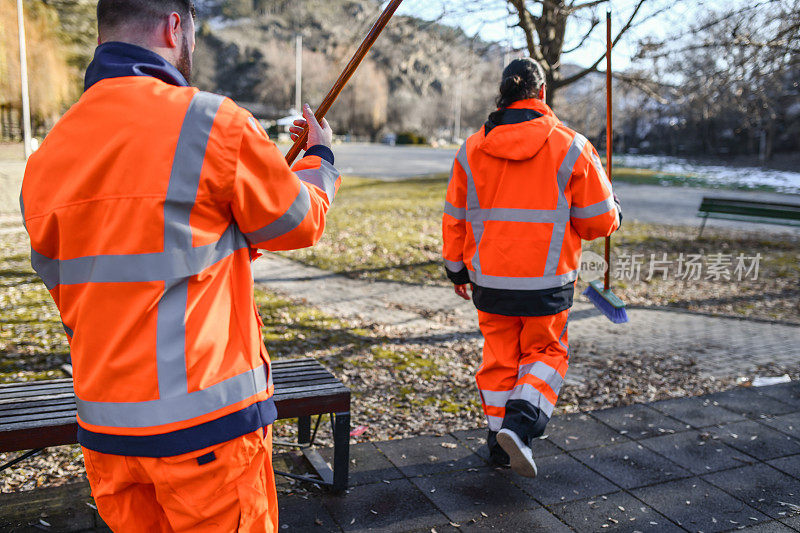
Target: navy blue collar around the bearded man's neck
[118, 59]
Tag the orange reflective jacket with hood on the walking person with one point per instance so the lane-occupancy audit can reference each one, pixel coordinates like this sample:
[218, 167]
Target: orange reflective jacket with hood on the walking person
[524, 191]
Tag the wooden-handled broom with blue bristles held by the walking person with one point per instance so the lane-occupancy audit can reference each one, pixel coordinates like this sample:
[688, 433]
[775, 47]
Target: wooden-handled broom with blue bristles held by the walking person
[600, 293]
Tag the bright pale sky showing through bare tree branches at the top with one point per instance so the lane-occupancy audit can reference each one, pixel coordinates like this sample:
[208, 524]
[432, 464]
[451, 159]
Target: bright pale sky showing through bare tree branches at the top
[491, 26]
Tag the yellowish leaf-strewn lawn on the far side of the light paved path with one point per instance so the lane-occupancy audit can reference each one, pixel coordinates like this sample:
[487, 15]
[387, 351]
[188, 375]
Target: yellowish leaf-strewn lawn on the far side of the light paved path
[391, 230]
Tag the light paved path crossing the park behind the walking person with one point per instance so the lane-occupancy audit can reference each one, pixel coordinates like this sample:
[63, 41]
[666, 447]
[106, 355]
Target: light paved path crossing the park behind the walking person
[721, 346]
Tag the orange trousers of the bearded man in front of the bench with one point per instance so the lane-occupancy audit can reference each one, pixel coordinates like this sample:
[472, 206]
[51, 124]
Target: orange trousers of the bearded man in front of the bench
[226, 487]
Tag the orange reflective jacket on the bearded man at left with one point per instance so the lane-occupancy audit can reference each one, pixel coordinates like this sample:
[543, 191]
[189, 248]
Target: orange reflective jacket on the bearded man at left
[143, 205]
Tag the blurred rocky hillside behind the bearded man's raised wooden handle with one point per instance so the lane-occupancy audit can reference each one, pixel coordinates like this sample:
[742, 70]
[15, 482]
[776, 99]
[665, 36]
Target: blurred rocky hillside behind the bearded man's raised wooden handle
[409, 82]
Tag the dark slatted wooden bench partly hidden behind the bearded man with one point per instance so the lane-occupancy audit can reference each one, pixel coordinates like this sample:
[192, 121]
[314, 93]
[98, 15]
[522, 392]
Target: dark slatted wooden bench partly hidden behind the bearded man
[39, 414]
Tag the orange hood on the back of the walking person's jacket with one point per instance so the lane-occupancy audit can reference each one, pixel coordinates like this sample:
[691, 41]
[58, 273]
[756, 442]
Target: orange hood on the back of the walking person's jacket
[519, 131]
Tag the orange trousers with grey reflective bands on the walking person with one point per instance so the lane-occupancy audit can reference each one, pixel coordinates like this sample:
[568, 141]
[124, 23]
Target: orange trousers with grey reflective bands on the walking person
[525, 360]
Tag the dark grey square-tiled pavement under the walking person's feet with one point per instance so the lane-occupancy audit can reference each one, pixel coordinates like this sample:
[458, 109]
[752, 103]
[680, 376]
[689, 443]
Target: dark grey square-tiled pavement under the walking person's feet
[716, 463]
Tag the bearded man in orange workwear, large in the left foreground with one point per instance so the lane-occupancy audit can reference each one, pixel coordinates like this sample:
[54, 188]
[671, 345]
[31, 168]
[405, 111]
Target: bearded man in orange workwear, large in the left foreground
[145, 205]
